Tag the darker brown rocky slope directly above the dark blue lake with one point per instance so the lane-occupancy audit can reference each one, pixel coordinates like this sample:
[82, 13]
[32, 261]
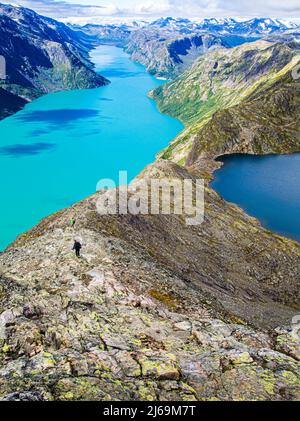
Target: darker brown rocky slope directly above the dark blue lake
[267, 122]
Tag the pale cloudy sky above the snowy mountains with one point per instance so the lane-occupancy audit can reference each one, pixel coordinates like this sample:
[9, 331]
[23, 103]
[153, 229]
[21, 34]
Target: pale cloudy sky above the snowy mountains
[93, 10]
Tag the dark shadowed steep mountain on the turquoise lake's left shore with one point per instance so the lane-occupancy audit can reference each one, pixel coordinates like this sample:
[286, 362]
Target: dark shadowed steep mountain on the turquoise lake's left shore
[41, 56]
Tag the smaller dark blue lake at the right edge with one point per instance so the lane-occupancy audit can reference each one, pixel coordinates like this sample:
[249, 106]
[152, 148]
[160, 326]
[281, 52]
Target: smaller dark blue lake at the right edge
[266, 187]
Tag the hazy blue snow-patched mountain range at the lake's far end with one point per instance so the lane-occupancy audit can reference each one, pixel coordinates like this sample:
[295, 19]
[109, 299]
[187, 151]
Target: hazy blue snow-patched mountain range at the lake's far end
[168, 46]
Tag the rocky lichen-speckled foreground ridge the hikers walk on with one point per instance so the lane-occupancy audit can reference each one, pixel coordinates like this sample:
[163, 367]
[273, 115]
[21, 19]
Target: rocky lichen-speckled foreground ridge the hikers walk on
[154, 309]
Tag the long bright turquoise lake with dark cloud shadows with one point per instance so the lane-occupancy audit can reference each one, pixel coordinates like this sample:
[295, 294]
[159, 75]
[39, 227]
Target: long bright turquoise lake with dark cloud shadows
[54, 152]
